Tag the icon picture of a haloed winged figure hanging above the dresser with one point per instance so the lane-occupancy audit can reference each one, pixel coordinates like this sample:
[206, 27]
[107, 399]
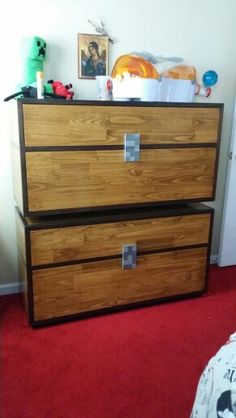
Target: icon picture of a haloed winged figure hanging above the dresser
[92, 55]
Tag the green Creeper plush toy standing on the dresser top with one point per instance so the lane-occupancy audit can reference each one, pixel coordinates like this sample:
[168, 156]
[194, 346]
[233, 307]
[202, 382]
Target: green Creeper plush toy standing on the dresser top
[33, 53]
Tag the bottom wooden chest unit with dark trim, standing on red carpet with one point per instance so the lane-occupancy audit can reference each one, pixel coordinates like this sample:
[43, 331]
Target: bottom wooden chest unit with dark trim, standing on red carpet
[72, 267]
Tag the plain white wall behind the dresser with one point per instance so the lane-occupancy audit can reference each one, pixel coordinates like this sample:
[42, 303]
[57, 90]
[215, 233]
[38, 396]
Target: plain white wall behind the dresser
[202, 32]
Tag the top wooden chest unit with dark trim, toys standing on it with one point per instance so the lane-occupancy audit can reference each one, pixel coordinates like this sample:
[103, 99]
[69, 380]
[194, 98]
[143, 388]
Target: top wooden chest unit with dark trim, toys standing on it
[87, 155]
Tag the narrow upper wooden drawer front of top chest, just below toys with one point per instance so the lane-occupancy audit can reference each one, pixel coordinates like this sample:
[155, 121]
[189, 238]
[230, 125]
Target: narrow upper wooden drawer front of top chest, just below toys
[66, 125]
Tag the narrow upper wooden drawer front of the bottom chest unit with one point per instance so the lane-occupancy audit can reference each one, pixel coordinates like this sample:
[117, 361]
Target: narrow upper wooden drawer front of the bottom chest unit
[56, 245]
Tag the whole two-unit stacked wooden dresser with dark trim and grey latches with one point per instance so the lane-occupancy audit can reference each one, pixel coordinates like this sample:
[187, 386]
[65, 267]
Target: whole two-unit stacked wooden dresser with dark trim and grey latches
[108, 203]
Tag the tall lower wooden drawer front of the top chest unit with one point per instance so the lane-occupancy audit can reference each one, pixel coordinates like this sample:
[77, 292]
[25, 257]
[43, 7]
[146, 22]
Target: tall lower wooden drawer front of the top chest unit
[86, 179]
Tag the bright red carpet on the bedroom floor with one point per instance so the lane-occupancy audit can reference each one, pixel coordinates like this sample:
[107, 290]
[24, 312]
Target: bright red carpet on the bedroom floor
[143, 363]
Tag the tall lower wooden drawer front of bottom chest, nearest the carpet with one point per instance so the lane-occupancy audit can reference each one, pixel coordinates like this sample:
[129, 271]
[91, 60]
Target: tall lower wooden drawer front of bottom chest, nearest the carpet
[88, 287]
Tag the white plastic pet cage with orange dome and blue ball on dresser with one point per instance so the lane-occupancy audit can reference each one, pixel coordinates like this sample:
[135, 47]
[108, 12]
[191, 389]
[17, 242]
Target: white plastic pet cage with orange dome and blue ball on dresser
[142, 75]
